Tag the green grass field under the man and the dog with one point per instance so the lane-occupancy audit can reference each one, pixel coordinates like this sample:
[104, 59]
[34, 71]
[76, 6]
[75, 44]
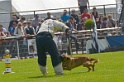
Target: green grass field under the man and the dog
[110, 68]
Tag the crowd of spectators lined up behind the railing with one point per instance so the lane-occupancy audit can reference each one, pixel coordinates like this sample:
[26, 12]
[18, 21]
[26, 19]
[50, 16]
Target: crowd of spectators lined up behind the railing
[22, 27]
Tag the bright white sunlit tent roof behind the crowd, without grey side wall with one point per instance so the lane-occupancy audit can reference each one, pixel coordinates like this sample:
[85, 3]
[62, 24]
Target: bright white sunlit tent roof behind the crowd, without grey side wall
[32, 5]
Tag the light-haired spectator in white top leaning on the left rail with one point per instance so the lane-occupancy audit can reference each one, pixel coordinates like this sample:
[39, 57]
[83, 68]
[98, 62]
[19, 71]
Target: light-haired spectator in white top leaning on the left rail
[19, 30]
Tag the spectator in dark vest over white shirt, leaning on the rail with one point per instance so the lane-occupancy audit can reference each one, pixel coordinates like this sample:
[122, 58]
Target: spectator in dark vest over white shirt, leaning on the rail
[29, 30]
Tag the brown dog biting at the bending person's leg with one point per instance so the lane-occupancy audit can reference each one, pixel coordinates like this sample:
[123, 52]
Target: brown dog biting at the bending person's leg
[69, 63]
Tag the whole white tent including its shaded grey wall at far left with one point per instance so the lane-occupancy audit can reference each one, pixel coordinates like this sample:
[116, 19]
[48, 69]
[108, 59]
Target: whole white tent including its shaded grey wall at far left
[33, 5]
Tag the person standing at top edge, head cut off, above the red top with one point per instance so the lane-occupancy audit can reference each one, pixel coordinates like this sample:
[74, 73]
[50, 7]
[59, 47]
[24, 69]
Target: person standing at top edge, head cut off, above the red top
[83, 5]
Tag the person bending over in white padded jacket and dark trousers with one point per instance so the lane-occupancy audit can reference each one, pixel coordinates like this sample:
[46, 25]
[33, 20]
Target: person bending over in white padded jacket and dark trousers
[45, 43]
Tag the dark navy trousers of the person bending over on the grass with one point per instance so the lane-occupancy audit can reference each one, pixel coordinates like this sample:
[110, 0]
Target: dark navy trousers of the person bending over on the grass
[45, 43]
